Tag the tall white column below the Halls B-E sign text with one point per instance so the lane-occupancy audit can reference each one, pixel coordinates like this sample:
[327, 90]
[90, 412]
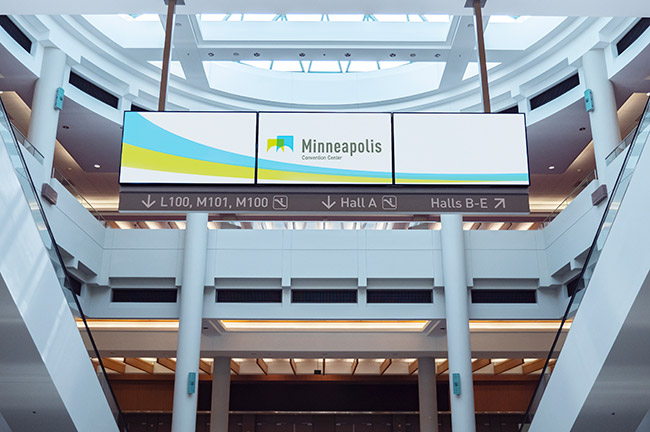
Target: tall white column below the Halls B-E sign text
[457, 314]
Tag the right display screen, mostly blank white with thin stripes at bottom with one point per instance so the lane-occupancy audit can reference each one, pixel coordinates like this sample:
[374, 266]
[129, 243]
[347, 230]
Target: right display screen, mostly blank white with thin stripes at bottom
[460, 149]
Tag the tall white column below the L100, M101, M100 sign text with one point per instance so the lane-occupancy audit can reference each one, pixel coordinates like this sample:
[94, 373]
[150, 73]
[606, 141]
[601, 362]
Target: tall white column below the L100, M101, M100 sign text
[190, 317]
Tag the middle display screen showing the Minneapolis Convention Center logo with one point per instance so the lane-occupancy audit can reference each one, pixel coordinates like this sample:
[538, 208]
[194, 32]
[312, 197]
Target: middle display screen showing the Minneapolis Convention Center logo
[324, 148]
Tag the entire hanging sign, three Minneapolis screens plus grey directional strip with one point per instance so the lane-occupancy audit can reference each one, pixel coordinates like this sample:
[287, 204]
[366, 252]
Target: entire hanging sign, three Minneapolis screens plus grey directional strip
[324, 163]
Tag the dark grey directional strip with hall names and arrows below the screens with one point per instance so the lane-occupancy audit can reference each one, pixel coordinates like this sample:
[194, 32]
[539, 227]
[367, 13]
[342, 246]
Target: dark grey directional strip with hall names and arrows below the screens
[289, 202]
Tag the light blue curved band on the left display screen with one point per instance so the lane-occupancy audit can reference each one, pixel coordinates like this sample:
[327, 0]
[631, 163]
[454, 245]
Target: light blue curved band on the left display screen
[140, 132]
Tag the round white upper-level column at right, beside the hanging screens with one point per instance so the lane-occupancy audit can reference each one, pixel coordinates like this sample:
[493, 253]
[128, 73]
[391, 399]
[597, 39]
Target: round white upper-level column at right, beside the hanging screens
[604, 119]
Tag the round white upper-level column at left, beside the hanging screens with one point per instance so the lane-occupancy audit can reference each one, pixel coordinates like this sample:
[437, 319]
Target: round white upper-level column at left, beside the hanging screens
[44, 121]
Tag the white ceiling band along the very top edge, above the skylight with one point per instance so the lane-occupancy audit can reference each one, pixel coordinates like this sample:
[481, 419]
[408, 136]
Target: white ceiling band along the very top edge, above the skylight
[452, 7]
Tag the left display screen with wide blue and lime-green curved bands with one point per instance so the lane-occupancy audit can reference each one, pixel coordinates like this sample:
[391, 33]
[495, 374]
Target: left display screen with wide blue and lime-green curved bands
[188, 148]
